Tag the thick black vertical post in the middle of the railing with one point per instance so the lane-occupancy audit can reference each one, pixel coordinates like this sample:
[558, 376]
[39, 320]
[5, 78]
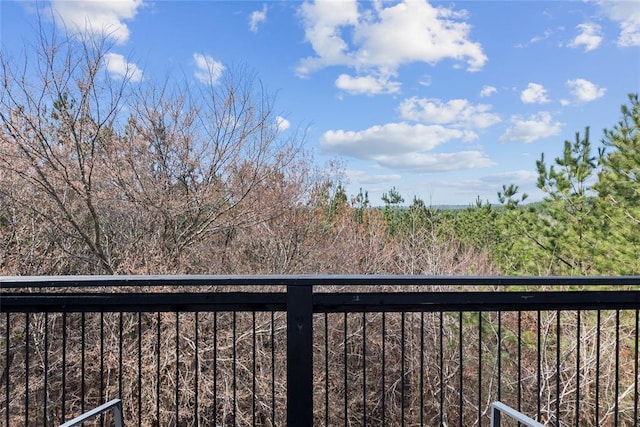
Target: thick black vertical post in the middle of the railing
[299, 355]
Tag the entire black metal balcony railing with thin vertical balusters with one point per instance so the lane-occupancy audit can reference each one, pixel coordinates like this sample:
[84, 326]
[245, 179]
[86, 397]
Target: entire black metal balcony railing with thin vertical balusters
[319, 350]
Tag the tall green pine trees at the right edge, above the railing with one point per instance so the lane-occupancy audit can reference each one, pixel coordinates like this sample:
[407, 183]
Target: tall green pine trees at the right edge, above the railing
[589, 223]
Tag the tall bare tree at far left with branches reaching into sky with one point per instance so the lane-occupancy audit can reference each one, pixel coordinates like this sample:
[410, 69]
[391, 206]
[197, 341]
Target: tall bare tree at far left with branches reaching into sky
[55, 115]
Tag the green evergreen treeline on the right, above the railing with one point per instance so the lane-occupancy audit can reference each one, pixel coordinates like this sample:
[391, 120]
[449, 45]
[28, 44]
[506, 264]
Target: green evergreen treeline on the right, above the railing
[587, 224]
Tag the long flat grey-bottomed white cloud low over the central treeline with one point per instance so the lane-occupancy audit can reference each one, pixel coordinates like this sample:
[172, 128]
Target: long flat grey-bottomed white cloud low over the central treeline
[404, 146]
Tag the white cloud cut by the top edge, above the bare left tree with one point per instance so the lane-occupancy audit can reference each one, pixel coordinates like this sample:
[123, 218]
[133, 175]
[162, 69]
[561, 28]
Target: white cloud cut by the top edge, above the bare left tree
[97, 17]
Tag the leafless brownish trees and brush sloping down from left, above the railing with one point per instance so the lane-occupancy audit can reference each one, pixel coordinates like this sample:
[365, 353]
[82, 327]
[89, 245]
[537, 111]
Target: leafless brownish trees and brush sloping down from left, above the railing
[102, 175]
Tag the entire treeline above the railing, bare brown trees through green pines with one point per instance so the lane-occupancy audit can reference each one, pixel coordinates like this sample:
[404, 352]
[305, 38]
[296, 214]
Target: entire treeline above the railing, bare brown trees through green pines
[103, 175]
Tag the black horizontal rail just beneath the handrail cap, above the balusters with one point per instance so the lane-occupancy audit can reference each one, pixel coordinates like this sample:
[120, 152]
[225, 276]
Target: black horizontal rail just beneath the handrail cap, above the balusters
[324, 302]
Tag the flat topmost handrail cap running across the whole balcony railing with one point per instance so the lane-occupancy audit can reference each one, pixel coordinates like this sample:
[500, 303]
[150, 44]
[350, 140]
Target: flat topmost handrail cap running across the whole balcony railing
[324, 280]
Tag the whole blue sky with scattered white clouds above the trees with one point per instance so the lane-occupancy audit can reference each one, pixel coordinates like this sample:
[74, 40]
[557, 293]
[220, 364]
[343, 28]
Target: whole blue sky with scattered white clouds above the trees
[445, 101]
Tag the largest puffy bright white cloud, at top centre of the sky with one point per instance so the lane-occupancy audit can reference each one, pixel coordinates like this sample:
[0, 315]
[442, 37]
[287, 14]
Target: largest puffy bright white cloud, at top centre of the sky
[384, 38]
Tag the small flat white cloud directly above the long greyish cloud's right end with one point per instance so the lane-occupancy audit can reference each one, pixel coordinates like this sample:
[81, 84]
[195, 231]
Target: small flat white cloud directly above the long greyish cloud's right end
[457, 112]
